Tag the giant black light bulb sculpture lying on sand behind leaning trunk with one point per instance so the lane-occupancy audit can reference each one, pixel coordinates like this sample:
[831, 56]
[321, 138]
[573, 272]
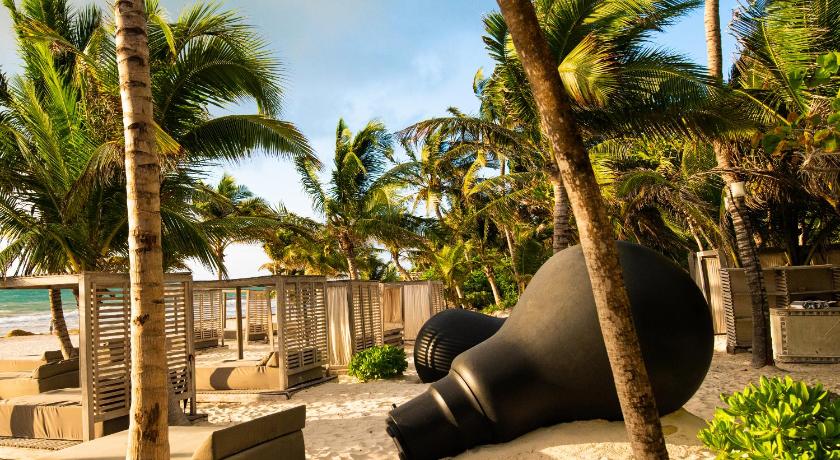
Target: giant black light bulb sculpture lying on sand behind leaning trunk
[548, 364]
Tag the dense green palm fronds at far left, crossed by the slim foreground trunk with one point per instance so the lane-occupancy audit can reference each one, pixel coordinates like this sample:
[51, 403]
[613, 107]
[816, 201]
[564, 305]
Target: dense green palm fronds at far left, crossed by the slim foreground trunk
[63, 141]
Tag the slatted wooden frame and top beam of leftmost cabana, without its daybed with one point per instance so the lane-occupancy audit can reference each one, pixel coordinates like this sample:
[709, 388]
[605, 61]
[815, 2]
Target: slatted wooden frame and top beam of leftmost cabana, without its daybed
[104, 340]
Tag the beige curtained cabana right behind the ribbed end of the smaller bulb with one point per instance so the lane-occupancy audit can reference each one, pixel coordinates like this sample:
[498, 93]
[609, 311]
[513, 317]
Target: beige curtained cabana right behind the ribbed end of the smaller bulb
[410, 304]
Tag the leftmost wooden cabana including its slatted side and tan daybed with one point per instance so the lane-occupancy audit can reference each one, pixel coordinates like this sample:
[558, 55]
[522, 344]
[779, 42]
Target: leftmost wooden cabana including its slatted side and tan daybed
[101, 403]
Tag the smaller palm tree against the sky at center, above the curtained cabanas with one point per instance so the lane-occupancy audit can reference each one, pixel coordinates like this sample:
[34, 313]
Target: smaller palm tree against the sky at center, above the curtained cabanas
[357, 204]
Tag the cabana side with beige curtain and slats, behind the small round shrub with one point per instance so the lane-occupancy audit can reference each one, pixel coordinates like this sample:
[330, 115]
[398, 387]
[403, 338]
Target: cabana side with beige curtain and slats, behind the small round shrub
[354, 316]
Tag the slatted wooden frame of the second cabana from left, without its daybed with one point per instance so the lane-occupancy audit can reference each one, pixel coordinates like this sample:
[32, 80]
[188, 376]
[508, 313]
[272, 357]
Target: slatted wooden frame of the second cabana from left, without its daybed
[300, 325]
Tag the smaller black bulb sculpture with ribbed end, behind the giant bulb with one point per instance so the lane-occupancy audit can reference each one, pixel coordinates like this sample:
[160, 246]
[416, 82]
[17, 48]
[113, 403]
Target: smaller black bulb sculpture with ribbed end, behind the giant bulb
[445, 336]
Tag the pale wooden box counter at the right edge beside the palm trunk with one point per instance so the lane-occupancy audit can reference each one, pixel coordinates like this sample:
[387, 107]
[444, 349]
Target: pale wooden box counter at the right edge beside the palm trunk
[805, 336]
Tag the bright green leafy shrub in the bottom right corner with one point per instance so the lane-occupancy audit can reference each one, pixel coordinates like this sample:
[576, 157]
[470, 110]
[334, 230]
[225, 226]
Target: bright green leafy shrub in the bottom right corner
[779, 419]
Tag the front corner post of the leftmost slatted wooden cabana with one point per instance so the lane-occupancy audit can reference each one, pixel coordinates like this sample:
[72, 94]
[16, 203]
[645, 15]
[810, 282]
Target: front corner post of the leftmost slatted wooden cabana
[85, 369]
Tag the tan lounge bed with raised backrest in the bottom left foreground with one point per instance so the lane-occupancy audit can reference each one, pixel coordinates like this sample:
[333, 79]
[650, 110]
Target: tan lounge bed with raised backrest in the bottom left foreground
[274, 436]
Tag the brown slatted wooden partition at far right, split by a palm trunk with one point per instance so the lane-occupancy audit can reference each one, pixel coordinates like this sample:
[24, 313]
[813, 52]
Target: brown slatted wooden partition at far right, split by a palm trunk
[783, 285]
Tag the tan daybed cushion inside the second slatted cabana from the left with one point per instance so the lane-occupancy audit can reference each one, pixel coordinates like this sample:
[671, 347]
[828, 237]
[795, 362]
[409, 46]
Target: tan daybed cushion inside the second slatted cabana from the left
[237, 375]
